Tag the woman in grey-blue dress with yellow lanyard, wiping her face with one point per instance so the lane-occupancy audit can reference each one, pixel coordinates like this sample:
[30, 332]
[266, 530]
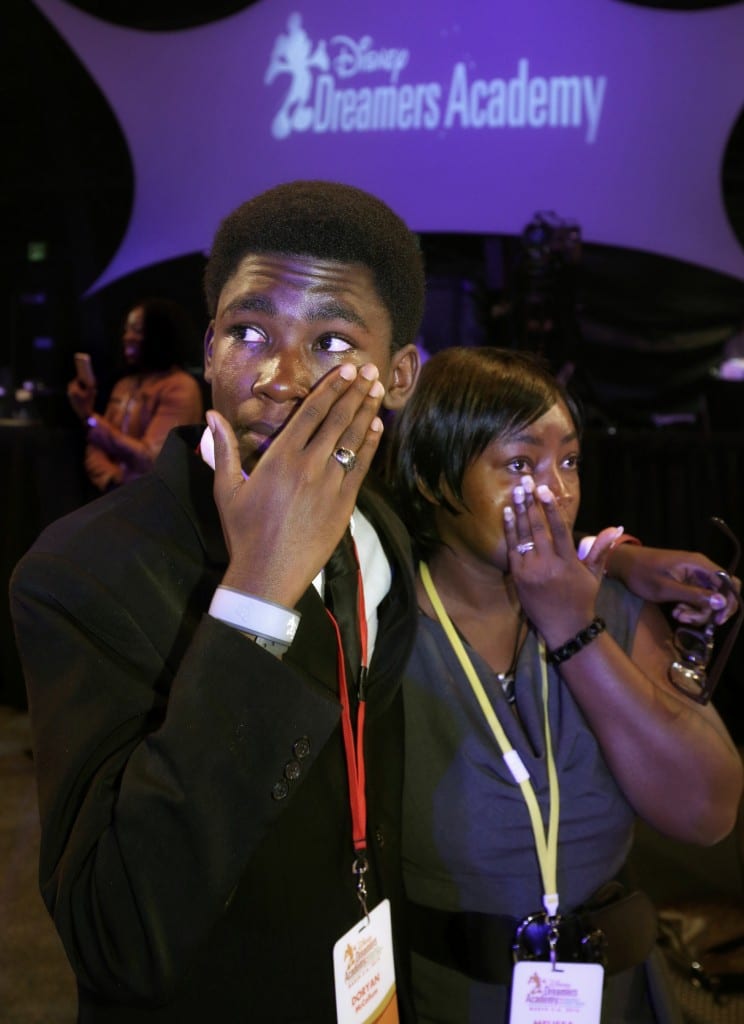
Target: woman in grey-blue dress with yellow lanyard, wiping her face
[540, 717]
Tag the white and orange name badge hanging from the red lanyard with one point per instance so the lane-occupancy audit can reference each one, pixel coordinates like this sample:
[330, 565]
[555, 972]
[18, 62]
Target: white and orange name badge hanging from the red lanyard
[365, 971]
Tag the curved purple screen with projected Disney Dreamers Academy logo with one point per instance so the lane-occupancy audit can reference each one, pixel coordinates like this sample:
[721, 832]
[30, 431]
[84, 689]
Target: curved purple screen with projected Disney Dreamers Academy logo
[466, 118]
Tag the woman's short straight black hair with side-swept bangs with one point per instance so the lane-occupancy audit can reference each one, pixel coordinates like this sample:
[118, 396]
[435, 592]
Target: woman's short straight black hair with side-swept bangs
[464, 400]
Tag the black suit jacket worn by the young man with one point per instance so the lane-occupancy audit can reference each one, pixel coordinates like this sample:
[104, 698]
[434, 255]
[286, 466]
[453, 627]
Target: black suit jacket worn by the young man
[183, 889]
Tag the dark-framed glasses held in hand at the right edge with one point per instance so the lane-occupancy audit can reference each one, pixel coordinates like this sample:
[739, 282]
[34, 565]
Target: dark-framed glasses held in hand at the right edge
[694, 672]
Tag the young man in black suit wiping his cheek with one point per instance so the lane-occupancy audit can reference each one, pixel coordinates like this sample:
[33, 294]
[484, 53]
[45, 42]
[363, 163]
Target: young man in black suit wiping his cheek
[197, 849]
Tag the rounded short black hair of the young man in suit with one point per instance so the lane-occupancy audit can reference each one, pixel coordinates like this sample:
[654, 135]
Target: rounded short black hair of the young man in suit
[327, 221]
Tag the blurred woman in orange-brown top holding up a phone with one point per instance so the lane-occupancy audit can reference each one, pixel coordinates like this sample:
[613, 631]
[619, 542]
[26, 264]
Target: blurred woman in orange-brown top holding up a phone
[155, 396]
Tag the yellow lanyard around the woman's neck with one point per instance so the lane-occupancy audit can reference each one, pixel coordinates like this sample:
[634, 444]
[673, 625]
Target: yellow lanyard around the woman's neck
[546, 841]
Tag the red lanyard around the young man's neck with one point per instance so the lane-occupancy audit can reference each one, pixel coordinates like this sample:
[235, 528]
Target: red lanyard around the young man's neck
[355, 747]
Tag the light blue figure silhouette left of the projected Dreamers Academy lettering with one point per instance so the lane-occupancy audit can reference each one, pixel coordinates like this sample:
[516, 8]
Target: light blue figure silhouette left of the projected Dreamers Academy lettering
[293, 56]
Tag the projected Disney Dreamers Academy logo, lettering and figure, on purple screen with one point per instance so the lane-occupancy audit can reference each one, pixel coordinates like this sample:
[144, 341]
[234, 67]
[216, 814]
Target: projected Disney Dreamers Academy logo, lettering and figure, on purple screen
[317, 101]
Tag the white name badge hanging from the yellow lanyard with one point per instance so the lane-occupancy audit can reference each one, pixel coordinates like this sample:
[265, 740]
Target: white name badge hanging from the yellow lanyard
[570, 995]
